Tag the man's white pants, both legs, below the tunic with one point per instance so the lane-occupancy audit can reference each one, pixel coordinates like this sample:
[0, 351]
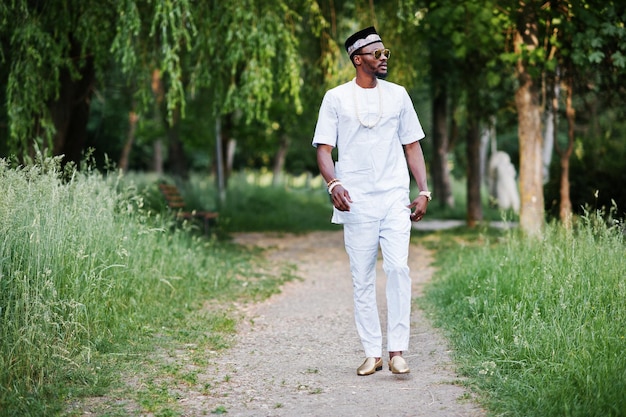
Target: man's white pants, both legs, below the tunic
[361, 241]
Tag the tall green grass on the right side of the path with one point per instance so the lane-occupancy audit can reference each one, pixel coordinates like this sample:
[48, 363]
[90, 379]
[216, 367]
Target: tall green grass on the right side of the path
[539, 326]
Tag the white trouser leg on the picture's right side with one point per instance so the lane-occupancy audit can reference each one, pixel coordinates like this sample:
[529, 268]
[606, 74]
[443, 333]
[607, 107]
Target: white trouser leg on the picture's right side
[394, 242]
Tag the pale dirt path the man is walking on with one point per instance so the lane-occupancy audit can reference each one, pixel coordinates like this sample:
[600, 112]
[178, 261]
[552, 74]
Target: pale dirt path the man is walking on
[296, 354]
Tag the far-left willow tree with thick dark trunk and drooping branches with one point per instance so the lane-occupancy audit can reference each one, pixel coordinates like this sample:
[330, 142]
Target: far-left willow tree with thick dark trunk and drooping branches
[56, 52]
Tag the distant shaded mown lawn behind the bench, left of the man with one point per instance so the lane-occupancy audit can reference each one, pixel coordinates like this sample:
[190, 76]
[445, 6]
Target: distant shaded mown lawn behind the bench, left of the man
[252, 202]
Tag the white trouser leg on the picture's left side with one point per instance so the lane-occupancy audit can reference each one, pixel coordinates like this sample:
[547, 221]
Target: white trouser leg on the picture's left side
[361, 242]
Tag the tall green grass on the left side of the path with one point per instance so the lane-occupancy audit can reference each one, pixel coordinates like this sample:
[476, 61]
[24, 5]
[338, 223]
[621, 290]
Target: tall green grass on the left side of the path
[85, 270]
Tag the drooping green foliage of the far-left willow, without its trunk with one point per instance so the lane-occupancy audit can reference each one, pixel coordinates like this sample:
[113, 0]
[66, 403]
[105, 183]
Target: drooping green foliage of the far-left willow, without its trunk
[48, 38]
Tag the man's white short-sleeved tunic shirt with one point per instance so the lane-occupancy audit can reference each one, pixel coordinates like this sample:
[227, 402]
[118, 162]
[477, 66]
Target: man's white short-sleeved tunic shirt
[369, 126]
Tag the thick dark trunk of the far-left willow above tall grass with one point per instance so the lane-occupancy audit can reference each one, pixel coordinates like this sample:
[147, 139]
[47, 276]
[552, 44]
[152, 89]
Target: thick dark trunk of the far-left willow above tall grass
[70, 111]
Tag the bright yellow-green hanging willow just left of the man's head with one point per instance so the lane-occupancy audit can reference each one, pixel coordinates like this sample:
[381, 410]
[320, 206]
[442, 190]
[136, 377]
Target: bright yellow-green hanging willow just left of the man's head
[248, 59]
